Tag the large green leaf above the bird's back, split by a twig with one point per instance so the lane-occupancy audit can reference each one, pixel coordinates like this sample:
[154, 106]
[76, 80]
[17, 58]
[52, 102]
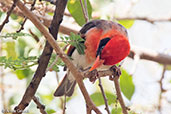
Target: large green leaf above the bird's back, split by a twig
[74, 7]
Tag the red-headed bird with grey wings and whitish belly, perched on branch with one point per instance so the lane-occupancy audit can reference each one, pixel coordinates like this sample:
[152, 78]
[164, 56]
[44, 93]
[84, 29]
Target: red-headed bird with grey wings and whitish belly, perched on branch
[106, 44]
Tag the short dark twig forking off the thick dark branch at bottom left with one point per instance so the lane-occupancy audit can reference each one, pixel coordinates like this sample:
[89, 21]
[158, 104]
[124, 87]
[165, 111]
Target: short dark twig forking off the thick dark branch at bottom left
[39, 105]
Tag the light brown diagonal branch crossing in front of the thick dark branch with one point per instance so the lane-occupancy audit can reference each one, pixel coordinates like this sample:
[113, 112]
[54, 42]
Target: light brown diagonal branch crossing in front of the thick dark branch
[61, 54]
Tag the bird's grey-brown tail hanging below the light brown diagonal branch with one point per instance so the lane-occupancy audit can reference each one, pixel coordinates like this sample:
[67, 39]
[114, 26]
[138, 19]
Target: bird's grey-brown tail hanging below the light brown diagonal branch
[66, 87]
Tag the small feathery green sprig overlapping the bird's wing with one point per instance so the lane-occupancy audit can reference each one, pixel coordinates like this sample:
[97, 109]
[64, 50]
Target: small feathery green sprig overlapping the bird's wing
[76, 41]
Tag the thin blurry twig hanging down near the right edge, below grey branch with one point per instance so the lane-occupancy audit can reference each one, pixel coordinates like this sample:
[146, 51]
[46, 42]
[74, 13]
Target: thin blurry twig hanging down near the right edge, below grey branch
[161, 89]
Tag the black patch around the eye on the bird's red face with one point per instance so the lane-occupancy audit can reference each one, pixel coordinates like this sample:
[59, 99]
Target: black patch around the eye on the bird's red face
[102, 44]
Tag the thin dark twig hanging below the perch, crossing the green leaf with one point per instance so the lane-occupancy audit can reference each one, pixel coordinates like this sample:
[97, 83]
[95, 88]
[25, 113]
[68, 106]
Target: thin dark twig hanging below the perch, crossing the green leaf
[104, 96]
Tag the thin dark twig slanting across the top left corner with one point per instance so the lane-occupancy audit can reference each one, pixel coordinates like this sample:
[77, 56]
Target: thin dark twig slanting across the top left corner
[8, 14]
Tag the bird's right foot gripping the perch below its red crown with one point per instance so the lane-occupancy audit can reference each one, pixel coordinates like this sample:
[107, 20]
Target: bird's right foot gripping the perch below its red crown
[116, 72]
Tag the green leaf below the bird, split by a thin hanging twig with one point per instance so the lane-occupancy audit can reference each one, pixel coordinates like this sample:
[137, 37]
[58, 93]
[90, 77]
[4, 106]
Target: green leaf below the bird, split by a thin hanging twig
[98, 98]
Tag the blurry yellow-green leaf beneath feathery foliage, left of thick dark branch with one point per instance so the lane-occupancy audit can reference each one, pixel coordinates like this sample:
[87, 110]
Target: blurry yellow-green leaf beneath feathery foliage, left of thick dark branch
[21, 74]
